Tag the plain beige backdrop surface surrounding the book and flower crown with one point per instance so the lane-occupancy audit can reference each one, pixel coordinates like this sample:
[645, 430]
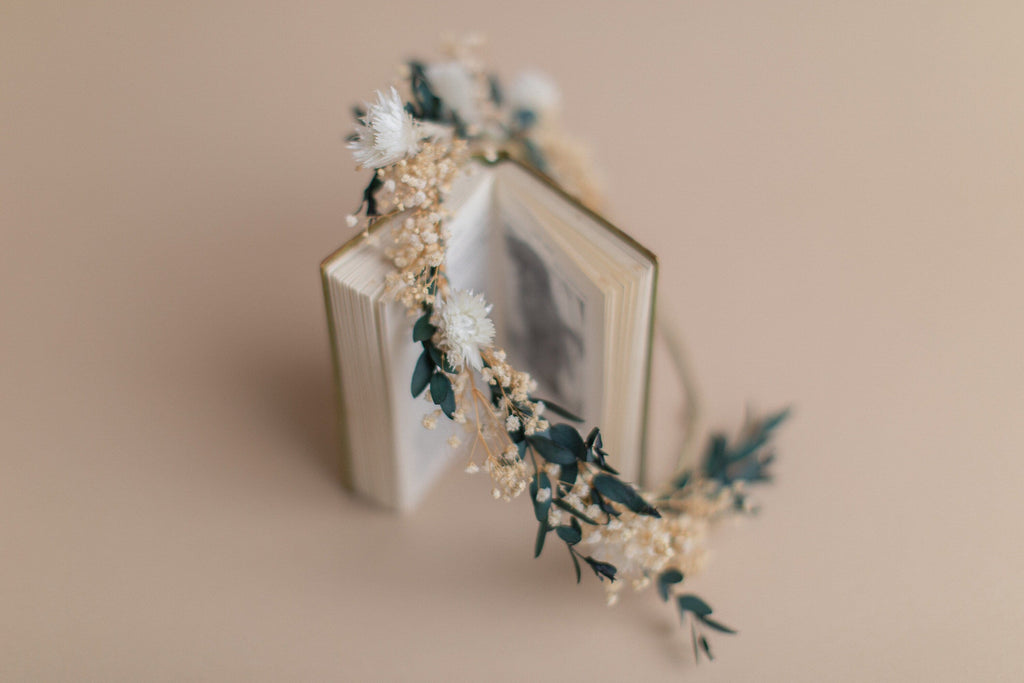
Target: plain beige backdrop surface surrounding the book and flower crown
[836, 194]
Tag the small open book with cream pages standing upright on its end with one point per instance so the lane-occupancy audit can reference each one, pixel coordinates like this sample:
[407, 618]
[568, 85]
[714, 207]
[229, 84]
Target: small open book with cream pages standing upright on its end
[573, 302]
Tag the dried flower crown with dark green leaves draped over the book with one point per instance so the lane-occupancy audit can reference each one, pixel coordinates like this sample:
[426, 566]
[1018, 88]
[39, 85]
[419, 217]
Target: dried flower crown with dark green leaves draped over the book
[417, 146]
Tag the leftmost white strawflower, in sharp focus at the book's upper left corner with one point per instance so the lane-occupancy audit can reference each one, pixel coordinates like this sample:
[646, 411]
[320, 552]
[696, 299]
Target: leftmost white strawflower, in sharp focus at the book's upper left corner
[389, 134]
